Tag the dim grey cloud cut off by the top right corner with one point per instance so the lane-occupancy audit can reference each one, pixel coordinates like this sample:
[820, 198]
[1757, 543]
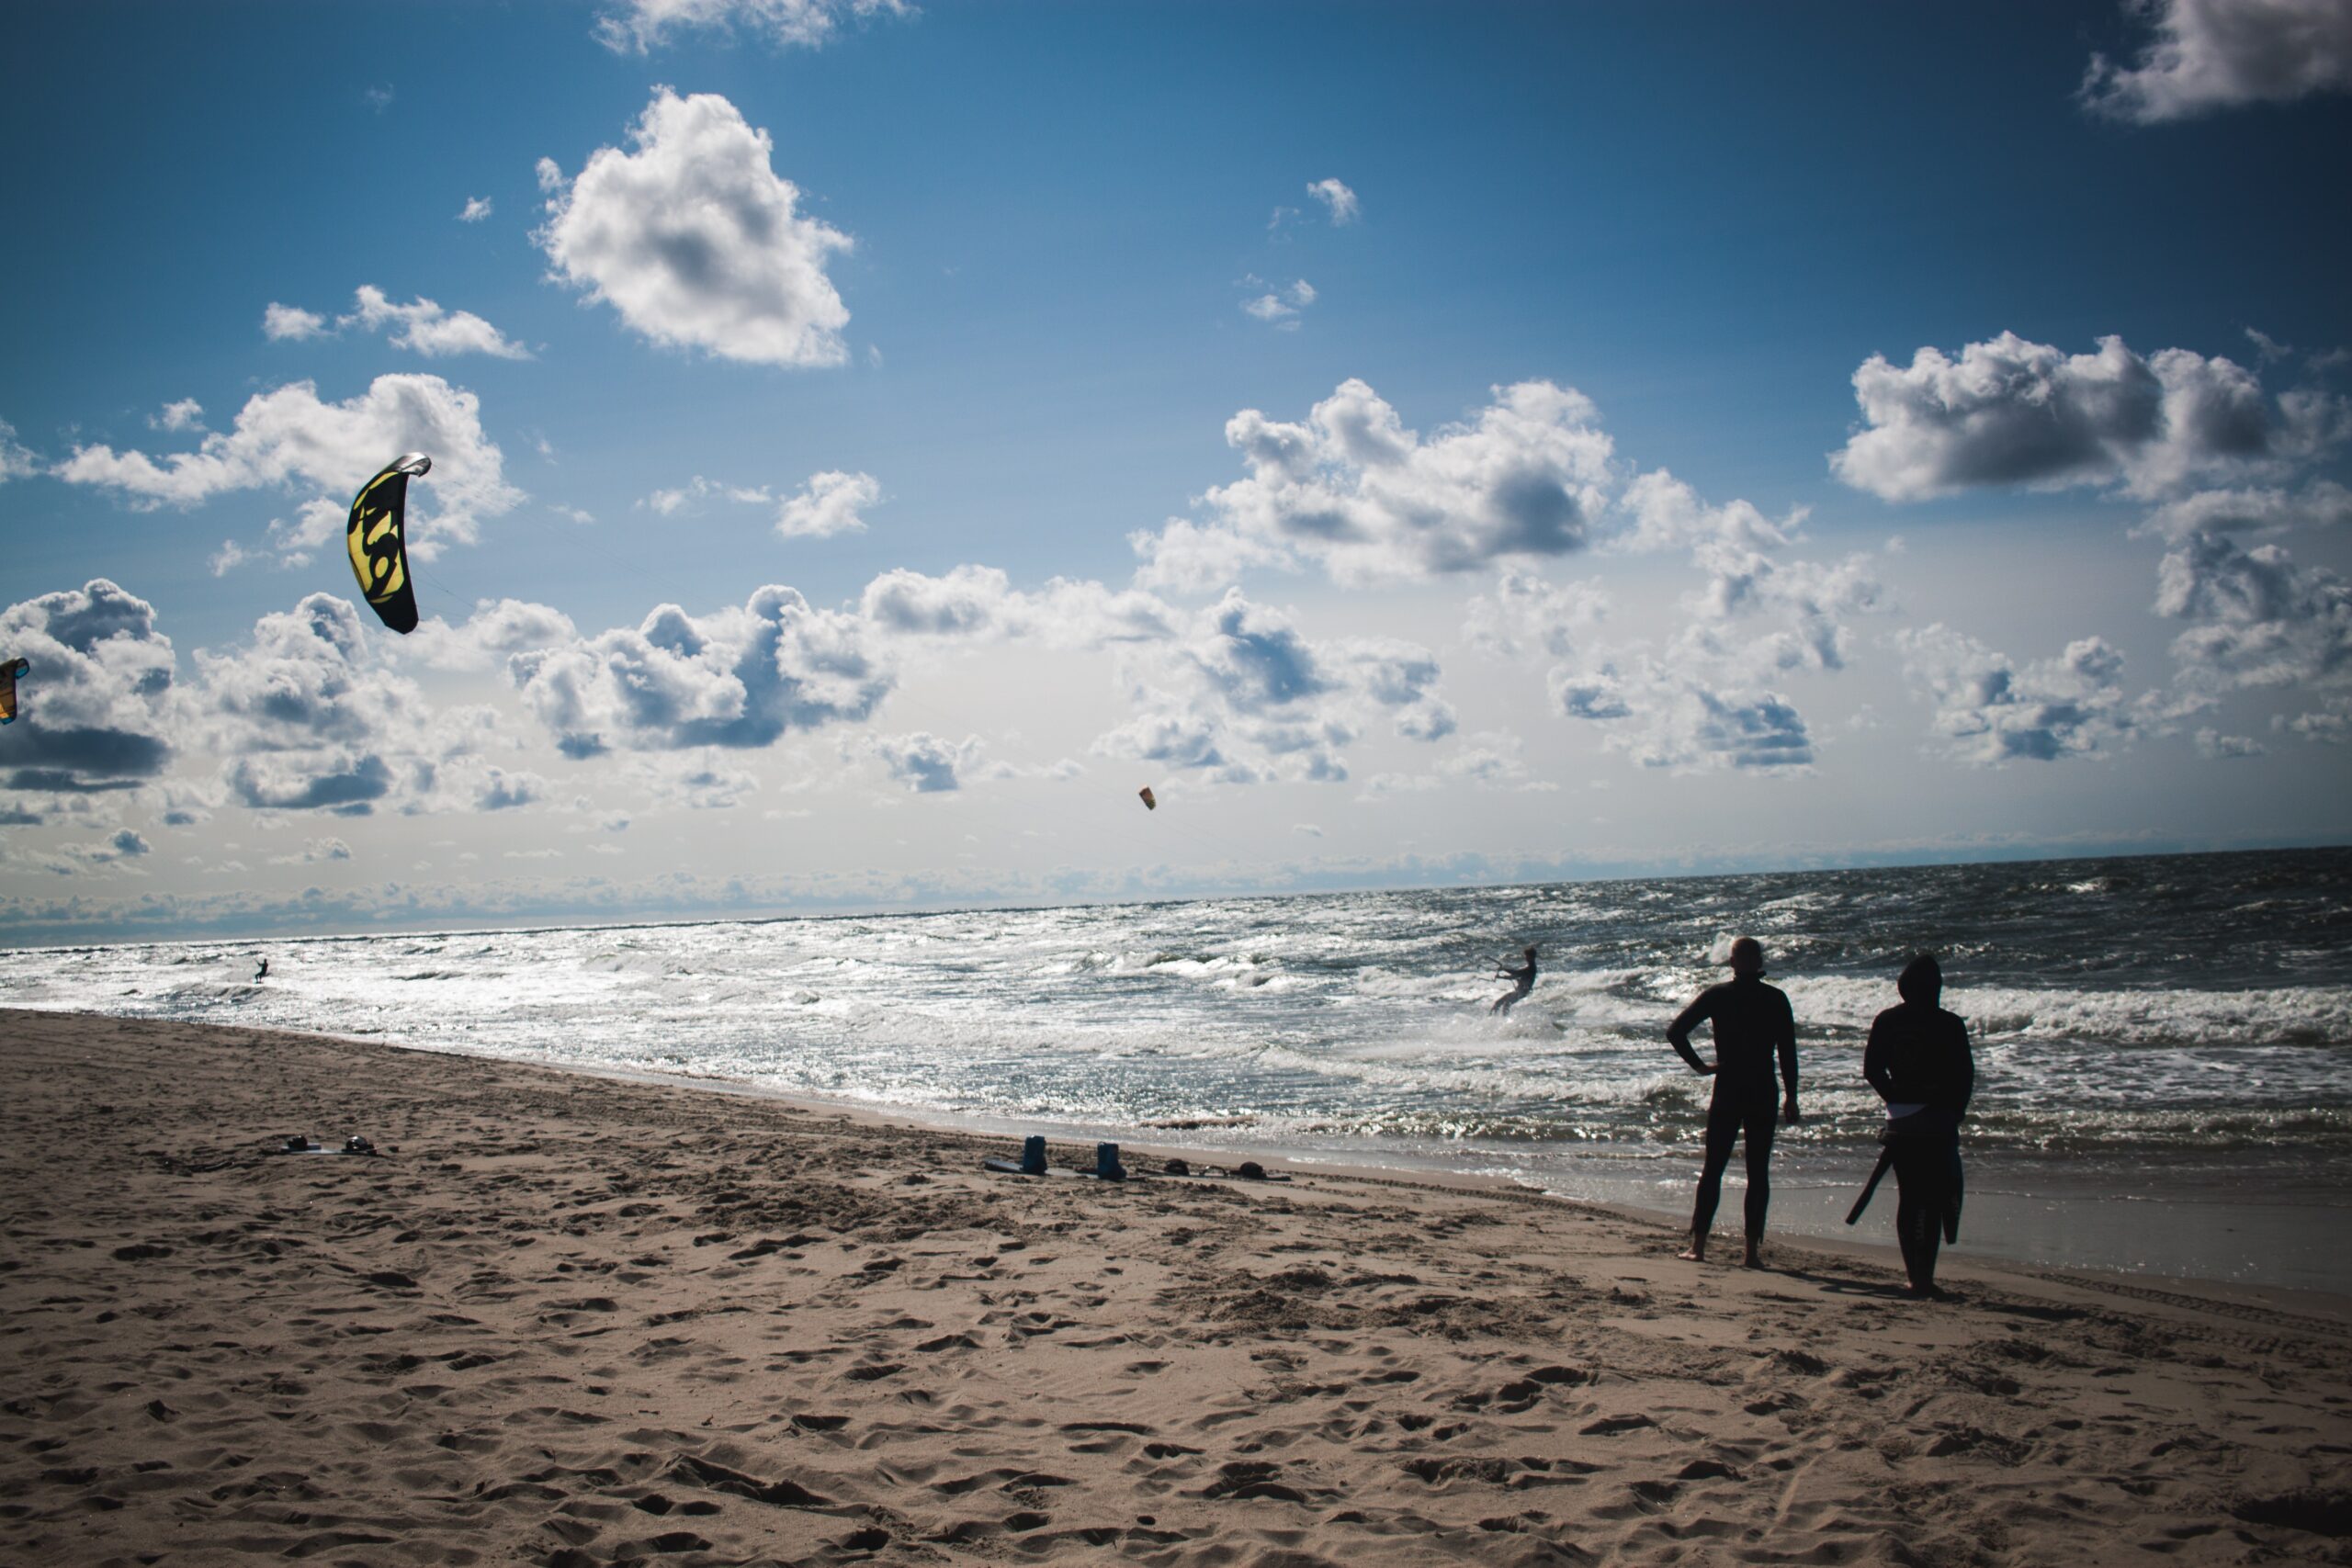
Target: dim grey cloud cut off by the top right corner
[2212, 55]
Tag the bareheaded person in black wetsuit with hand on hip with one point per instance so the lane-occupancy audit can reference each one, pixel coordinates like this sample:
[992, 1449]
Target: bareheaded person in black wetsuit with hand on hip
[1753, 1026]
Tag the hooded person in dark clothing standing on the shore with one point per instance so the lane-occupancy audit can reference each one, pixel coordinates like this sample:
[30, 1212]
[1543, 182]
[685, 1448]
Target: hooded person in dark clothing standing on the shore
[1920, 1064]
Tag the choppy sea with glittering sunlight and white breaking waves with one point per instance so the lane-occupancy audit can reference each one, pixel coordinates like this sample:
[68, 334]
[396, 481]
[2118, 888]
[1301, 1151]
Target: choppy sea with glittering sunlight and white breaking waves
[2163, 1045]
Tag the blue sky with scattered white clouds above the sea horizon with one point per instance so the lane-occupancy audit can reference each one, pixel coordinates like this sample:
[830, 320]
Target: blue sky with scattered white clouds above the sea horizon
[1424, 443]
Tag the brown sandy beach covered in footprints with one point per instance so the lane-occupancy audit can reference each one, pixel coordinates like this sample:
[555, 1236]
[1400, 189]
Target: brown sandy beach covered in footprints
[573, 1320]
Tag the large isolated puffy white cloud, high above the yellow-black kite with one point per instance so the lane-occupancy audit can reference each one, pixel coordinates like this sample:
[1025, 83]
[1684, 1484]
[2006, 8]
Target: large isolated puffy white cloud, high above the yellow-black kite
[695, 241]
